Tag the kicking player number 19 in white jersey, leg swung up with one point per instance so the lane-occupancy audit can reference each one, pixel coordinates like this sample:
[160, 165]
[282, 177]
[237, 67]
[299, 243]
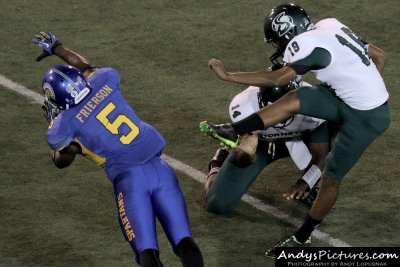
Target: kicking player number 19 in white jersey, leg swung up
[353, 95]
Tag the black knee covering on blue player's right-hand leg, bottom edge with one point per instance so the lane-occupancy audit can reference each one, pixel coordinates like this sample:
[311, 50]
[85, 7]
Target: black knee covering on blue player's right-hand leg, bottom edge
[189, 253]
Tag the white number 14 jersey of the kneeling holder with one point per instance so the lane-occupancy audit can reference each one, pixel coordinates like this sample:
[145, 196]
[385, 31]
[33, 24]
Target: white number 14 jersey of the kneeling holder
[246, 103]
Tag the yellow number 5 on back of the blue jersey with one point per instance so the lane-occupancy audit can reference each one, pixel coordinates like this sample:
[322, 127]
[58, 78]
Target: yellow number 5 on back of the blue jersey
[114, 126]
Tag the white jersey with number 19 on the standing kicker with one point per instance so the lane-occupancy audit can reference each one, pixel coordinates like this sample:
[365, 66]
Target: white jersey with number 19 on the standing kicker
[351, 73]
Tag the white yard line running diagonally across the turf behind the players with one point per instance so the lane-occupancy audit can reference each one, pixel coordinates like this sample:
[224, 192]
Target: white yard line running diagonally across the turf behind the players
[195, 174]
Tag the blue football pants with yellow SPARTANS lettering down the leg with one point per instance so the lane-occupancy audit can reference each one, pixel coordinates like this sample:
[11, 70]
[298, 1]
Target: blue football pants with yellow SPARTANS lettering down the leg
[145, 192]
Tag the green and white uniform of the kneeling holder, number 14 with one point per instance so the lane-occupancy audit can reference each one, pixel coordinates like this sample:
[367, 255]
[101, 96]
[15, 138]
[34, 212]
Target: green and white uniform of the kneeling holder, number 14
[283, 140]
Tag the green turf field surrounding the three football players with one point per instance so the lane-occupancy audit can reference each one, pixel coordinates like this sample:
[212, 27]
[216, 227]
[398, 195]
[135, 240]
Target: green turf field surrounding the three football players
[51, 217]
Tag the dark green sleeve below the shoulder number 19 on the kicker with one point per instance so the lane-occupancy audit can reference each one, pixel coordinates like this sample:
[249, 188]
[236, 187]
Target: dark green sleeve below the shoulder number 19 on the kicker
[318, 59]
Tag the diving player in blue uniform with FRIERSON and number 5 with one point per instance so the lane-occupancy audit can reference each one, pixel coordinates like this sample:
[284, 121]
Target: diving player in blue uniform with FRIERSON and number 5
[88, 115]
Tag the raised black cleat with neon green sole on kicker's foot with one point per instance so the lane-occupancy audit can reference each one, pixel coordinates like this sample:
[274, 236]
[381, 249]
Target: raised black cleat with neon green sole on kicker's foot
[222, 132]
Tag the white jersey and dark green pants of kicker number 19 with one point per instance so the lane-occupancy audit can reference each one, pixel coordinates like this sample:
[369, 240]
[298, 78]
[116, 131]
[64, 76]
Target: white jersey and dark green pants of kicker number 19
[353, 94]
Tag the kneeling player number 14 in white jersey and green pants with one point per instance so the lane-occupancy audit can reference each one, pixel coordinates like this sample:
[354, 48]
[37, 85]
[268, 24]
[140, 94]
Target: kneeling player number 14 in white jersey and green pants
[304, 139]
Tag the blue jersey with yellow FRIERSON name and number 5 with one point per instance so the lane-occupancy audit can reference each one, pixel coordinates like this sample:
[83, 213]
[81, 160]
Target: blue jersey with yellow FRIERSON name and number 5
[106, 127]
